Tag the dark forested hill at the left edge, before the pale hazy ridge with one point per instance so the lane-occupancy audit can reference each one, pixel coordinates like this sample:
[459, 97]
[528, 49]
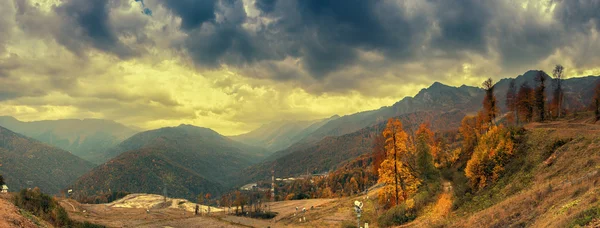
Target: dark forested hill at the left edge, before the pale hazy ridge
[27, 163]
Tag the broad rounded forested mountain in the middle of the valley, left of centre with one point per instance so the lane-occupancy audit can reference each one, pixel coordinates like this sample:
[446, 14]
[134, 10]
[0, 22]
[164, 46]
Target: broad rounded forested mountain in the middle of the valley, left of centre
[187, 159]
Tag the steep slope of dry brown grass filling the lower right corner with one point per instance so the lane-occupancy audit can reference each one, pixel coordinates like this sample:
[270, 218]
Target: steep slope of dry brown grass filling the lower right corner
[553, 182]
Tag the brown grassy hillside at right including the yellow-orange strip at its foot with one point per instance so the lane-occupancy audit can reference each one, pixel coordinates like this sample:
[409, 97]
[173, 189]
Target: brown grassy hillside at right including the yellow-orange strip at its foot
[552, 180]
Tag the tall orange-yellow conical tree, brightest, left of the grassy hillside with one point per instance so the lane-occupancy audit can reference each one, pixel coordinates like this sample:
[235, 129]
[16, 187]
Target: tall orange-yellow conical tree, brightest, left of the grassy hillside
[397, 171]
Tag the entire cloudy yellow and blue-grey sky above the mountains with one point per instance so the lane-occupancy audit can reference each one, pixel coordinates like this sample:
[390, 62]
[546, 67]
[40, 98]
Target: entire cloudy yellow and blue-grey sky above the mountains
[232, 65]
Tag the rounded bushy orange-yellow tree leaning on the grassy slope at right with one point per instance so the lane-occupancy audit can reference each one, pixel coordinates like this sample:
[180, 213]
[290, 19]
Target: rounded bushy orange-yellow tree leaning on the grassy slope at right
[489, 158]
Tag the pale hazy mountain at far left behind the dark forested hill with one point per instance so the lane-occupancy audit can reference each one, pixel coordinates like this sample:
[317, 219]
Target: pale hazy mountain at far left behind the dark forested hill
[86, 138]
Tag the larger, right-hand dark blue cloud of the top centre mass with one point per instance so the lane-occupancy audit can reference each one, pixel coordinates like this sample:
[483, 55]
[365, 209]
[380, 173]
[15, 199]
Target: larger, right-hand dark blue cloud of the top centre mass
[328, 34]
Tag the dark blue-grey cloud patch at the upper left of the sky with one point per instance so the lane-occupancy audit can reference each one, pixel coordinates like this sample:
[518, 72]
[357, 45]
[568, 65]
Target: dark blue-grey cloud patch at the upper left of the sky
[87, 22]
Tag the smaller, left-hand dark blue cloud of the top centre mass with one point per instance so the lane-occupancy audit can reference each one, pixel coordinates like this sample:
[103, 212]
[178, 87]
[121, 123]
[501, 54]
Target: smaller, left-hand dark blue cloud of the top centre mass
[214, 43]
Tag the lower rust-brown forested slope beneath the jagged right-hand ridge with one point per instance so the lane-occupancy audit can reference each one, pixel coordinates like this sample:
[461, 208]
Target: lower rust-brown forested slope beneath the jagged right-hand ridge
[333, 151]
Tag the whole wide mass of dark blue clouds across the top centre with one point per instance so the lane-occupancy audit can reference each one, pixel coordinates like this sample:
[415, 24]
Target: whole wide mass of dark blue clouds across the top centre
[325, 35]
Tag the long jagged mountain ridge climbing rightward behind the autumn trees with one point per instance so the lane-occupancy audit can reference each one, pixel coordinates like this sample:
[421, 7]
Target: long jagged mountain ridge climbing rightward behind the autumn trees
[441, 105]
